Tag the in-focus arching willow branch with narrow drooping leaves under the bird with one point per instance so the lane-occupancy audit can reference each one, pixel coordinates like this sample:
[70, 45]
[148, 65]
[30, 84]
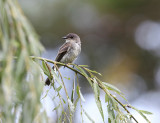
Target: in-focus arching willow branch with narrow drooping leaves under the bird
[117, 112]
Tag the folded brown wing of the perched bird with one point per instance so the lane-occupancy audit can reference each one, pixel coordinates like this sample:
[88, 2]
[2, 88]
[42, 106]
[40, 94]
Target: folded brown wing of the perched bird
[62, 51]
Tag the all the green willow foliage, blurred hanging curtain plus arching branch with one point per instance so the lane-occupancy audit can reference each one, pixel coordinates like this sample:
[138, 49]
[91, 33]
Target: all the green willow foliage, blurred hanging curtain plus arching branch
[20, 84]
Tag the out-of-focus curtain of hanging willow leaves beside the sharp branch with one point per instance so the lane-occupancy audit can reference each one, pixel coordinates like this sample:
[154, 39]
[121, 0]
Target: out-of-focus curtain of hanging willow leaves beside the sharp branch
[20, 84]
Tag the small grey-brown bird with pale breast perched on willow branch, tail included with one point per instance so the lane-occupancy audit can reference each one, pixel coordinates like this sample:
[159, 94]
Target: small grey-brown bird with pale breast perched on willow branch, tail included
[69, 51]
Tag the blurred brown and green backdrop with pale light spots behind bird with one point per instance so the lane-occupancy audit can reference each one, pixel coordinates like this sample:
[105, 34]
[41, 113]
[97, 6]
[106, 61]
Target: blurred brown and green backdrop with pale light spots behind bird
[120, 39]
